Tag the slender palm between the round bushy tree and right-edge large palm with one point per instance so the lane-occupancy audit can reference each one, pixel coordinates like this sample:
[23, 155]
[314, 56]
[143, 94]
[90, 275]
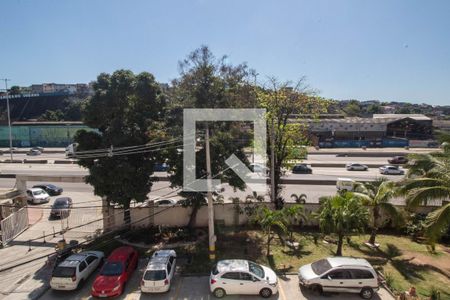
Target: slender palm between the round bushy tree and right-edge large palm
[377, 194]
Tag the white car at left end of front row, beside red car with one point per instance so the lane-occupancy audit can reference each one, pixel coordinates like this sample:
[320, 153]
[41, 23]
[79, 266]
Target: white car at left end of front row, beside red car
[75, 270]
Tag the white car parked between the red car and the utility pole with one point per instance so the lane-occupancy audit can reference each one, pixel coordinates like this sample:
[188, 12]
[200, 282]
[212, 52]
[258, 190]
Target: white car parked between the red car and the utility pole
[159, 273]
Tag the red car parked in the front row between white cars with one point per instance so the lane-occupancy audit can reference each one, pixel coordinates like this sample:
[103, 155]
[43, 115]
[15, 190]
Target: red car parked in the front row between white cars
[116, 271]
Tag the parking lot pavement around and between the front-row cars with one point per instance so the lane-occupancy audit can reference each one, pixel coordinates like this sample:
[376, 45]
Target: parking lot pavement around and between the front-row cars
[197, 287]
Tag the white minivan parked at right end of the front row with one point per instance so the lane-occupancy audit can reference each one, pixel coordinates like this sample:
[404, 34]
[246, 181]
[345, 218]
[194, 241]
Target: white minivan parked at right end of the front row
[340, 274]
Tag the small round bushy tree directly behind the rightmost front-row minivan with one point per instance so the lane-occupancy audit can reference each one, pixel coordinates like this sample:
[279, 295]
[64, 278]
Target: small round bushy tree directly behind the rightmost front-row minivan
[342, 214]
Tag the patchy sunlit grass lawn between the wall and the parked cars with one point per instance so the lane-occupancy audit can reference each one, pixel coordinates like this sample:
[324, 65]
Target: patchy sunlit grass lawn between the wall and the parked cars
[405, 262]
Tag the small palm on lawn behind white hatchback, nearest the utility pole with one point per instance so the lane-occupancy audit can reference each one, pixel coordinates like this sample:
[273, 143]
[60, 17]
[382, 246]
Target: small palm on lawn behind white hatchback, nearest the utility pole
[268, 219]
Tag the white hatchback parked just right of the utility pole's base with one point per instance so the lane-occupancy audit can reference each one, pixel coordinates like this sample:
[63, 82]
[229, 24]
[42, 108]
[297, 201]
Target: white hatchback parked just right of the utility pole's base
[239, 276]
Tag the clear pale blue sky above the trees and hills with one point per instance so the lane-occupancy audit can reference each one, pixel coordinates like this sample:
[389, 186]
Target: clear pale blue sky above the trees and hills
[385, 50]
